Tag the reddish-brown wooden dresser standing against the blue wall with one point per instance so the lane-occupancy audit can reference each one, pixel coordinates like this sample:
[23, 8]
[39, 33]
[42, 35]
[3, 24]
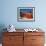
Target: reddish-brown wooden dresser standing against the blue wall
[23, 39]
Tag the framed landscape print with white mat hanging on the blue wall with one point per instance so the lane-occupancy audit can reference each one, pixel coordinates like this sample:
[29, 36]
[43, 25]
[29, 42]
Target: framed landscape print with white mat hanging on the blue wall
[26, 14]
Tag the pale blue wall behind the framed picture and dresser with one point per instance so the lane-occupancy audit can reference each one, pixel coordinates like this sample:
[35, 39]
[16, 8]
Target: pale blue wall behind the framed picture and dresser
[9, 13]
